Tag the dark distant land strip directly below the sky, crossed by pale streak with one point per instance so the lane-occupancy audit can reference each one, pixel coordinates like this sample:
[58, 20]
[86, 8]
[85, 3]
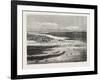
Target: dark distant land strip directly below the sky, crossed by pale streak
[69, 36]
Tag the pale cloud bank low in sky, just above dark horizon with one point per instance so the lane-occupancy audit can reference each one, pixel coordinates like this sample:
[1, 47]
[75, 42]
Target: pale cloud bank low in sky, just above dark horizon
[52, 27]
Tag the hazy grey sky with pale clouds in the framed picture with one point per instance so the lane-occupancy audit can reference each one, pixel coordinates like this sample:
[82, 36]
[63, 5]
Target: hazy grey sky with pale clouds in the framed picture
[56, 23]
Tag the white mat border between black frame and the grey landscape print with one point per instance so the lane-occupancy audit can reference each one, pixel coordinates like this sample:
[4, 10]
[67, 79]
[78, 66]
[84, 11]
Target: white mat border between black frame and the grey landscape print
[40, 69]
